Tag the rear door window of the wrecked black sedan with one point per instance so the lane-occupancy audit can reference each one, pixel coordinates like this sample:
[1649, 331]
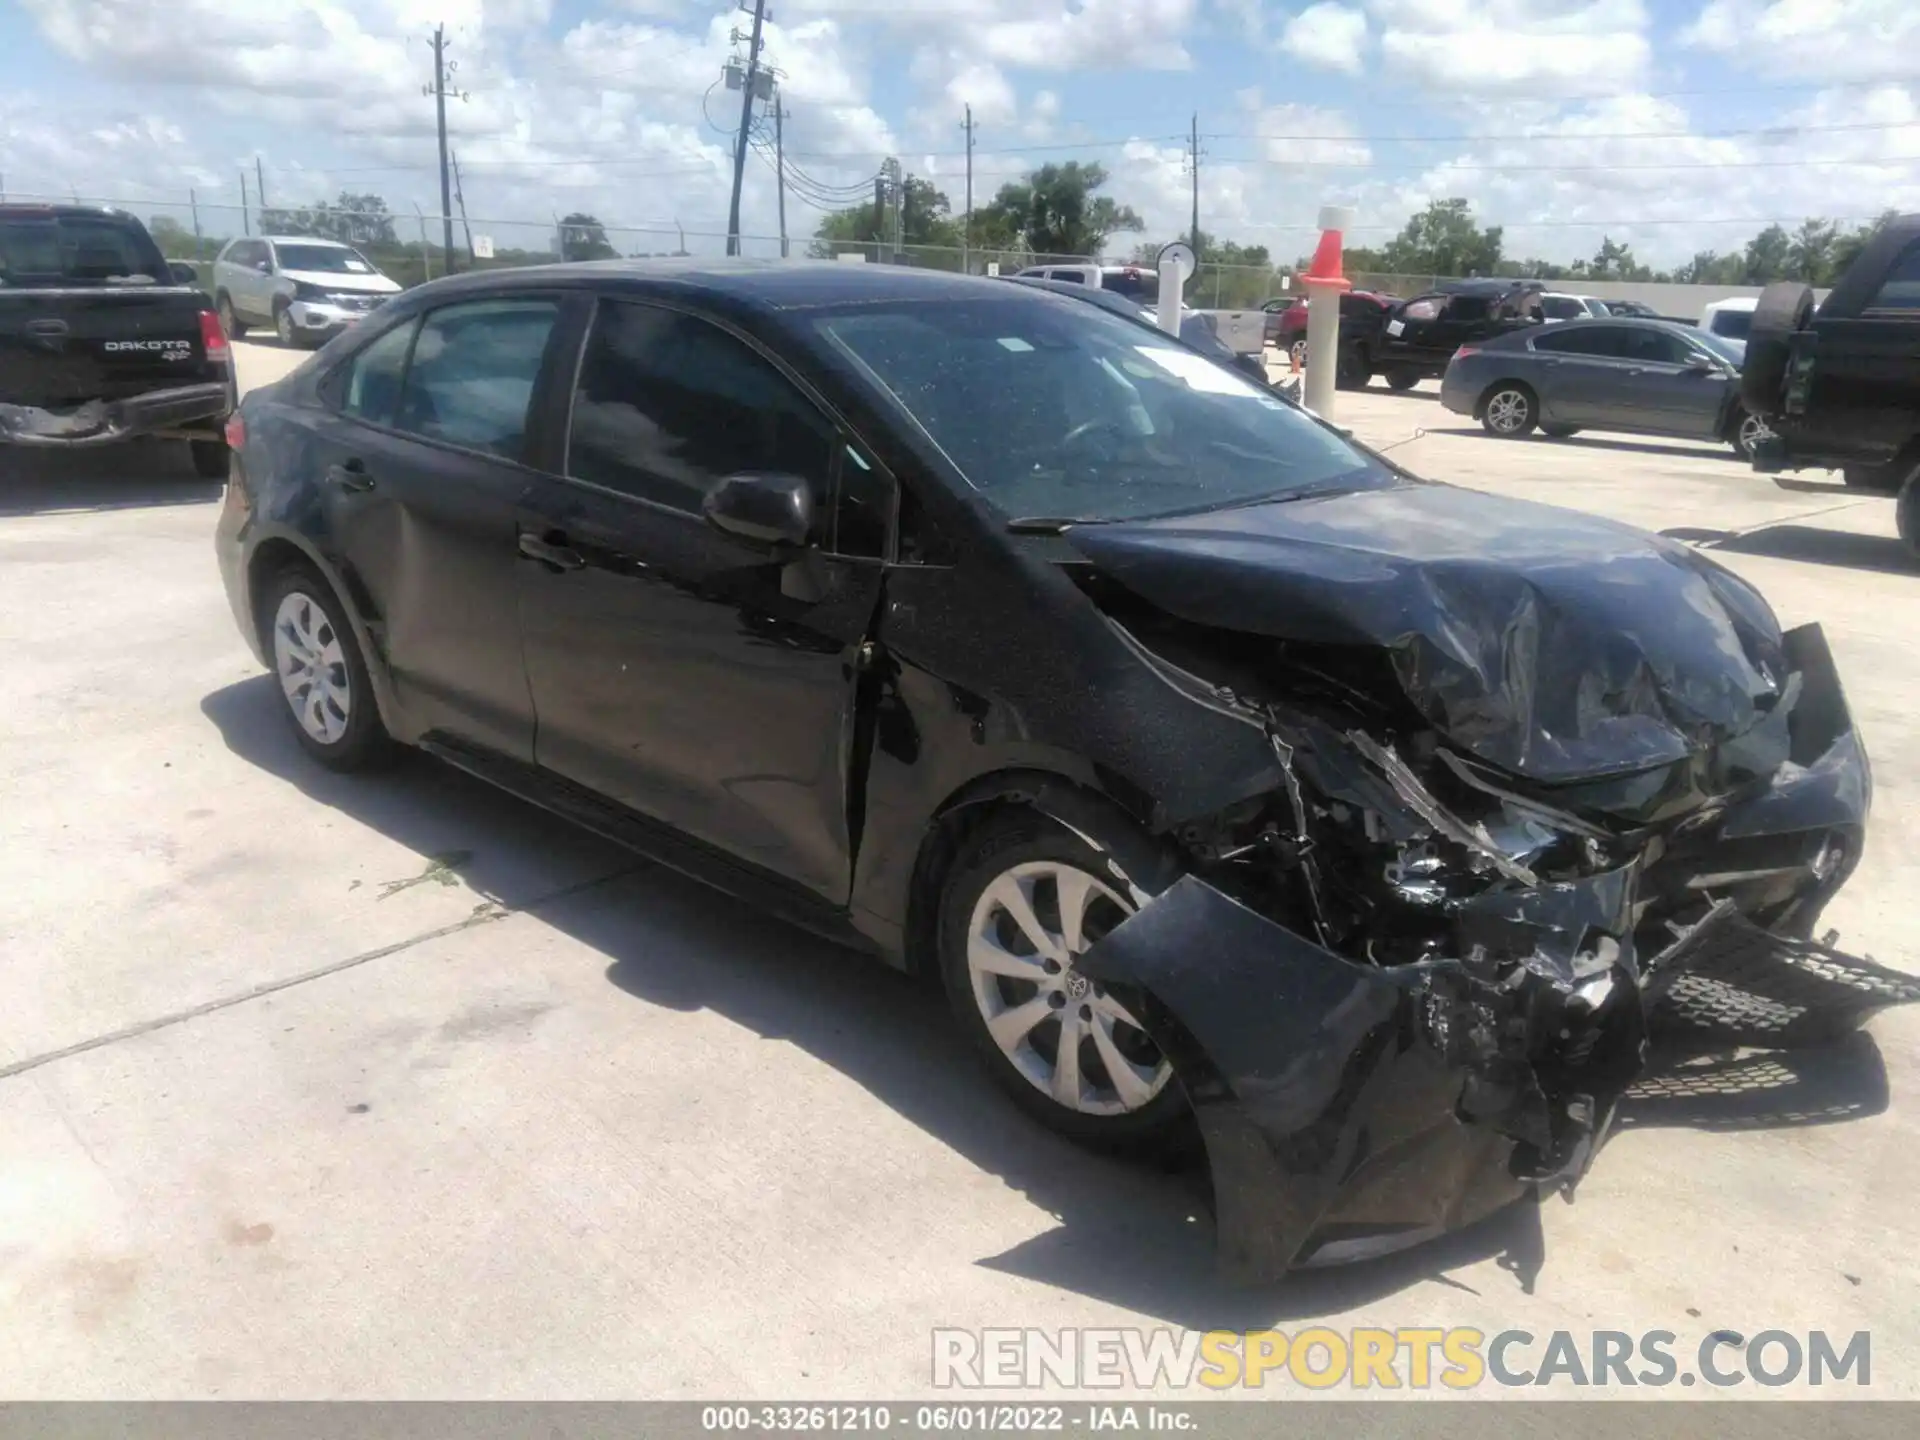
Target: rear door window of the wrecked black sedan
[473, 373]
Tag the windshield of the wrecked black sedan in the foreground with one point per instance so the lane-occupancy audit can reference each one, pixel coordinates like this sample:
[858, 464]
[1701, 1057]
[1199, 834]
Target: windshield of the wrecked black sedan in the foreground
[1067, 412]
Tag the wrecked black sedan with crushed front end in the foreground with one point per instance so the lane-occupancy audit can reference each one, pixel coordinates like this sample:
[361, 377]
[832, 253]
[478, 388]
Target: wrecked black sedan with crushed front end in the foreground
[1232, 780]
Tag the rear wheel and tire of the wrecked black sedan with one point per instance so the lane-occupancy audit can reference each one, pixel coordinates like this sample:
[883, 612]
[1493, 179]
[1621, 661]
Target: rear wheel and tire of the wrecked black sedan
[339, 727]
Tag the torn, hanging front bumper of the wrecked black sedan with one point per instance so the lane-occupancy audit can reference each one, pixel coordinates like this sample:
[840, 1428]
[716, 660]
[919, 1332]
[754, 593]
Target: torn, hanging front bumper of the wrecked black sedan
[1353, 1107]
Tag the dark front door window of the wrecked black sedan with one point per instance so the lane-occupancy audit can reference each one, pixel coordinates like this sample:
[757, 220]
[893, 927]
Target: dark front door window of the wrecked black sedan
[669, 404]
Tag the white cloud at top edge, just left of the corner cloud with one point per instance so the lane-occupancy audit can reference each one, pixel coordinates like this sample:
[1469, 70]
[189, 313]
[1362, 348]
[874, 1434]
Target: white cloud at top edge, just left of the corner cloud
[1516, 47]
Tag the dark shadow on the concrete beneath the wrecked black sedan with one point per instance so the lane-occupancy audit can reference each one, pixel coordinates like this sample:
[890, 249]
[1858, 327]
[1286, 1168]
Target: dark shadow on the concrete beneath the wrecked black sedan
[1128, 1234]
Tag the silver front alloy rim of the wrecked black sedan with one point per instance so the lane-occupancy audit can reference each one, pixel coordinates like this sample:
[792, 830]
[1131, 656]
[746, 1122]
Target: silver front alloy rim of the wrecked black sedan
[1061, 1030]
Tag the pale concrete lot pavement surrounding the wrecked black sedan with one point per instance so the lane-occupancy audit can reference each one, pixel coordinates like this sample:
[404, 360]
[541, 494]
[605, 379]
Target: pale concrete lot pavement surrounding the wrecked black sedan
[333, 1088]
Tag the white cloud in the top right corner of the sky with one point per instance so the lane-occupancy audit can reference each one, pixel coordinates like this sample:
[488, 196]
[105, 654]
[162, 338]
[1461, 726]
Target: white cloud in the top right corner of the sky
[1812, 39]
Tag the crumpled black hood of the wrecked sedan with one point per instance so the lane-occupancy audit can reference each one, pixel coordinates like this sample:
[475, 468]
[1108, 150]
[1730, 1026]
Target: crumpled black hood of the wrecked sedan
[1552, 644]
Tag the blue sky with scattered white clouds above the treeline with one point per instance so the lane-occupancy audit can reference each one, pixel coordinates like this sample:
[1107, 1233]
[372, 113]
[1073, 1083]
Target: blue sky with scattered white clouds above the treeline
[1677, 126]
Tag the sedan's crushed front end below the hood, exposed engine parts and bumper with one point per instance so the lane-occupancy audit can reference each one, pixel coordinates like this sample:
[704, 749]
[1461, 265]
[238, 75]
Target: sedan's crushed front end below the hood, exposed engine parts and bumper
[1408, 986]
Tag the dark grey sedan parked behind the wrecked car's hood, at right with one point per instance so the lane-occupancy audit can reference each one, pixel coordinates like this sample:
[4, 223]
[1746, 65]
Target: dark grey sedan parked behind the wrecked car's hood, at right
[1644, 377]
